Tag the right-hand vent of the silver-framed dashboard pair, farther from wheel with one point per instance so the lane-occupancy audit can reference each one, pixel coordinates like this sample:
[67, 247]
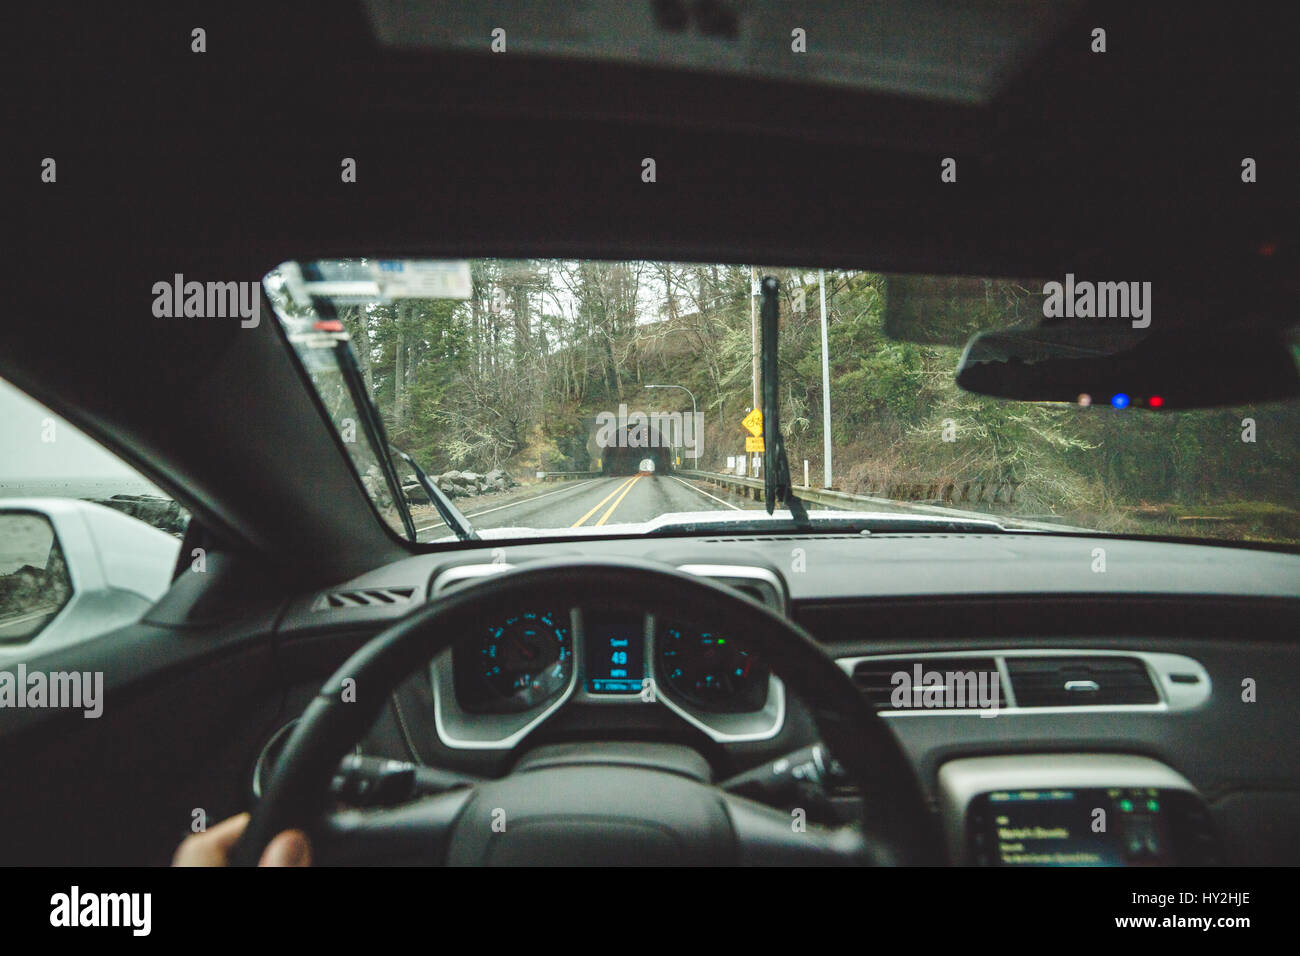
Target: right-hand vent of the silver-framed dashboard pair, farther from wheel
[1061, 682]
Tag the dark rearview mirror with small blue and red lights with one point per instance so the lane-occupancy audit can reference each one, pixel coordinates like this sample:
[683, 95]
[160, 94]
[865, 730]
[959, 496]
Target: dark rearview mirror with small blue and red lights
[1120, 366]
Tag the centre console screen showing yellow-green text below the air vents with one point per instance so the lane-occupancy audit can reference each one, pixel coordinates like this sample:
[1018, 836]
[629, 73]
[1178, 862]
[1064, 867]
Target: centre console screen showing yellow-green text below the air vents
[1072, 828]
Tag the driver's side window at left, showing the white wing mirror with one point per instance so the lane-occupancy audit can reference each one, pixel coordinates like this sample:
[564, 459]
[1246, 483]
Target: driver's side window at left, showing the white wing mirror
[86, 543]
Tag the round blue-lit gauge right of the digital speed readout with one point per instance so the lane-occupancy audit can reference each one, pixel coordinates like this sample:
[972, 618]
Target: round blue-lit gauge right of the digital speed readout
[712, 671]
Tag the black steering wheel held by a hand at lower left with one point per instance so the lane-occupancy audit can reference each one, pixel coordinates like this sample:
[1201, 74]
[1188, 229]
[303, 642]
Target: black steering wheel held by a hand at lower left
[592, 811]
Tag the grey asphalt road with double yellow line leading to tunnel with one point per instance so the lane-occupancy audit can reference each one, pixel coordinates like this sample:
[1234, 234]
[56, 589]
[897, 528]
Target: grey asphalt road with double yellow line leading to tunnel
[595, 503]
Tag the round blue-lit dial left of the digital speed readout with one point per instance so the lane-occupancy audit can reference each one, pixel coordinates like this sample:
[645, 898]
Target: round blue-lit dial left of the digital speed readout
[527, 659]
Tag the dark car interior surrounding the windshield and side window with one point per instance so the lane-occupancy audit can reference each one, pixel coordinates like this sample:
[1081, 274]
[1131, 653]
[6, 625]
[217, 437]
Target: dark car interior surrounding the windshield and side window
[710, 693]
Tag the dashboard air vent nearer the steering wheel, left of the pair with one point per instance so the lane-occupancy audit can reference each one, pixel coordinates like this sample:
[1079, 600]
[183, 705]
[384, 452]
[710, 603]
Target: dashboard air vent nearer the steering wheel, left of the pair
[956, 684]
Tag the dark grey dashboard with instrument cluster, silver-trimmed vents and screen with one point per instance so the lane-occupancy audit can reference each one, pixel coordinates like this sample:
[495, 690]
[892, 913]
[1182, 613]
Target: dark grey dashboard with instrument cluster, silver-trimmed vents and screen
[1155, 734]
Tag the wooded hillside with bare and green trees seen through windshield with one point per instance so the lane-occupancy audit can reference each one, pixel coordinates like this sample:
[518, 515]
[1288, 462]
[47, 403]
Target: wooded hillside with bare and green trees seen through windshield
[513, 377]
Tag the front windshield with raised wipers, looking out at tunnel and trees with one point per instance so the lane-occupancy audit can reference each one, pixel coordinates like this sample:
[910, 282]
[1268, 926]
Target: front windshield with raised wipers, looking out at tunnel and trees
[588, 397]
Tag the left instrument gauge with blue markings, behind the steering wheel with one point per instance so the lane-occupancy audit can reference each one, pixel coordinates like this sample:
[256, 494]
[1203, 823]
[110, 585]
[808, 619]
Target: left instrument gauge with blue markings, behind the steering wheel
[518, 663]
